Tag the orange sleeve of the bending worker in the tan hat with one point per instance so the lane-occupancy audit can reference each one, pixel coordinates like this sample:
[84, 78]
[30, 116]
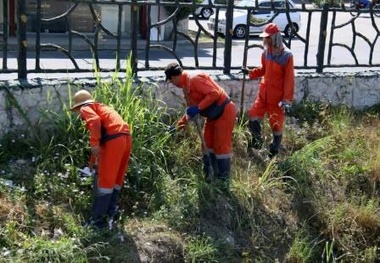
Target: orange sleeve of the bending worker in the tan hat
[93, 124]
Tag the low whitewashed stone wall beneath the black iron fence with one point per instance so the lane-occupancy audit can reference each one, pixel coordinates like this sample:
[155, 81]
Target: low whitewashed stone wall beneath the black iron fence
[28, 99]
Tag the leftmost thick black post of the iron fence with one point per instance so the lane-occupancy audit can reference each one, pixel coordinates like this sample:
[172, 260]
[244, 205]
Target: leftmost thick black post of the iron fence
[21, 39]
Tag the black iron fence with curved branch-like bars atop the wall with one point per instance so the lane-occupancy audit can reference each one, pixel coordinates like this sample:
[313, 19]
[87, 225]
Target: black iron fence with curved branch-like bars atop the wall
[150, 33]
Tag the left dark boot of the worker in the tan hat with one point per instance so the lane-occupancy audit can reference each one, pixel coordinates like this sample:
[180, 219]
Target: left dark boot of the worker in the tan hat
[100, 211]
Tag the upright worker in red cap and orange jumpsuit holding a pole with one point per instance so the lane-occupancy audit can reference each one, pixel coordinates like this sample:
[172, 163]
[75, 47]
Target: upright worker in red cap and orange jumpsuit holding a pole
[276, 90]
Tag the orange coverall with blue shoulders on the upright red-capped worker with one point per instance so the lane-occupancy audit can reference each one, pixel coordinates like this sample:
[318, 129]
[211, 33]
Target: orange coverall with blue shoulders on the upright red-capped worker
[276, 85]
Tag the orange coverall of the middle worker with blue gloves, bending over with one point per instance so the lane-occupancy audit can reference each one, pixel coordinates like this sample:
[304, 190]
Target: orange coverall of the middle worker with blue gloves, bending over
[203, 91]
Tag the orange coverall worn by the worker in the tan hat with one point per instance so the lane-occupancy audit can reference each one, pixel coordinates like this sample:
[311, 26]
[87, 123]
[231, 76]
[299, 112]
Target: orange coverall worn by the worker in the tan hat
[109, 131]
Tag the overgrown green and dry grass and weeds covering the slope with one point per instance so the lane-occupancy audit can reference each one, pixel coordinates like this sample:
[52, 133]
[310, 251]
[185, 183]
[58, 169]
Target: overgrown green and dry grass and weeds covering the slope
[317, 202]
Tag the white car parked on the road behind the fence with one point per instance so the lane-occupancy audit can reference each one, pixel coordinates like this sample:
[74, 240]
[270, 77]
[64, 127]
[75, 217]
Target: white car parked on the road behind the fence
[259, 15]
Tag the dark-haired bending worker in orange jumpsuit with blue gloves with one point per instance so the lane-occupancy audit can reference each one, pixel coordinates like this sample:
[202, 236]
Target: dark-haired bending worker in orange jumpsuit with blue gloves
[207, 98]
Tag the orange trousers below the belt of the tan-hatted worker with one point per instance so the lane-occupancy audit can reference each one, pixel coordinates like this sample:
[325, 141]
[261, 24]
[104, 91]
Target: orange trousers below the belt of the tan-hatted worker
[113, 162]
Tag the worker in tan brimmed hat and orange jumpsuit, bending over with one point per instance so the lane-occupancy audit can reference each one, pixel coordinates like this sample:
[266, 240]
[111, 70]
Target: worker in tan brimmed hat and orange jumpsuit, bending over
[111, 144]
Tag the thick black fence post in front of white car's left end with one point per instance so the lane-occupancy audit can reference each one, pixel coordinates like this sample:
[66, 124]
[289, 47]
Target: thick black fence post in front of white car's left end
[228, 37]
